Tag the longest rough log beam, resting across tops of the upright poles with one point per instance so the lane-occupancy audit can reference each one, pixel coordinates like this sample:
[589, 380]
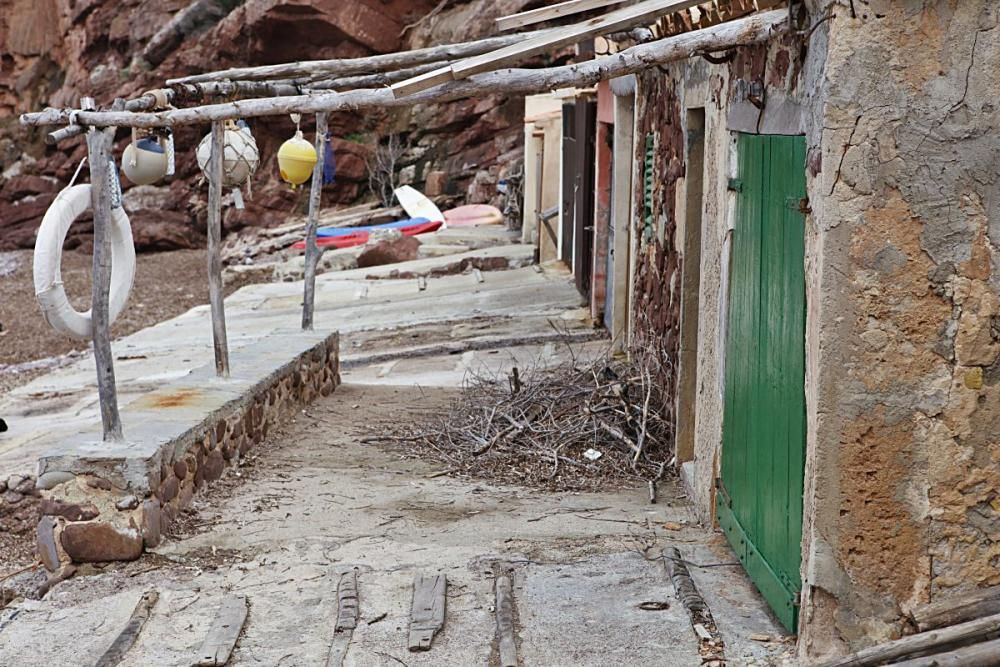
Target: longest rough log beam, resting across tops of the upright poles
[750, 30]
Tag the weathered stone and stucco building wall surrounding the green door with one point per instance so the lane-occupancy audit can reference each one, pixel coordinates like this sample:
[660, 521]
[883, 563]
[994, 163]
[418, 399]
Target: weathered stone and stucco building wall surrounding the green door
[897, 101]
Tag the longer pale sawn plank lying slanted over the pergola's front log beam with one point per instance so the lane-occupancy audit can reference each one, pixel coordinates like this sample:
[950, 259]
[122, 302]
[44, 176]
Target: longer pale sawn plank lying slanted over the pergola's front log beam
[621, 19]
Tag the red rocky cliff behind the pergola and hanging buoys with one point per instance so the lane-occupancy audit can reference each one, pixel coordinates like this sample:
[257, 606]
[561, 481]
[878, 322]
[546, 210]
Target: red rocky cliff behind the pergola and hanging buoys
[55, 51]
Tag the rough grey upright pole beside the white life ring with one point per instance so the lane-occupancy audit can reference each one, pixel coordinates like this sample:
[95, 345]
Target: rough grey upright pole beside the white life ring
[99, 143]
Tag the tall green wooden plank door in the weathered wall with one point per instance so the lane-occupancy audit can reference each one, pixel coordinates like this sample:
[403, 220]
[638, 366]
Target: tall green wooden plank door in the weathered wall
[764, 432]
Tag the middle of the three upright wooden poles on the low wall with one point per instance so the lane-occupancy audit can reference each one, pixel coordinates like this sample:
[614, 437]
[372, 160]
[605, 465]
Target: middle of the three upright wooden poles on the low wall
[215, 294]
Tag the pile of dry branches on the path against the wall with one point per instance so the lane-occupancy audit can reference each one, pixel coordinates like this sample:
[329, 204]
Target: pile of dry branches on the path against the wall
[582, 425]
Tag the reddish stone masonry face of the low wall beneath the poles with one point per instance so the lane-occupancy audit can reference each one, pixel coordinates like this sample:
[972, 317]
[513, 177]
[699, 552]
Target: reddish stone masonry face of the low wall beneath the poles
[89, 519]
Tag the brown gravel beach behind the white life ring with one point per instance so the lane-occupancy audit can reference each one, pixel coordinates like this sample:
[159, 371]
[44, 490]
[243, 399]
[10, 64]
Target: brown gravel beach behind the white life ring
[166, 285]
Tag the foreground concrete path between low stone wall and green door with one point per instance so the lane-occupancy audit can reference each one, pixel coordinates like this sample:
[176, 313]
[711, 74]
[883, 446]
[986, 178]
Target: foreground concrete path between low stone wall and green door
[318, 502]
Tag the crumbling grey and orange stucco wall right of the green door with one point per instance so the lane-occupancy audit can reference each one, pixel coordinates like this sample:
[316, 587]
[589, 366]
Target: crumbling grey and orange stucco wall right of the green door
[903, 474]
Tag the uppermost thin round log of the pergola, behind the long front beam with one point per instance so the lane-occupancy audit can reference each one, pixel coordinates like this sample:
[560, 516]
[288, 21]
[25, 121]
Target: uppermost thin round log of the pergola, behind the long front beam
[311, 70]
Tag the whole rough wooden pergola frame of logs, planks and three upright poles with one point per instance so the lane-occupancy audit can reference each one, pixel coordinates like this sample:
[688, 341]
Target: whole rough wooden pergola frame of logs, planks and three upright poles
[322, 87]
